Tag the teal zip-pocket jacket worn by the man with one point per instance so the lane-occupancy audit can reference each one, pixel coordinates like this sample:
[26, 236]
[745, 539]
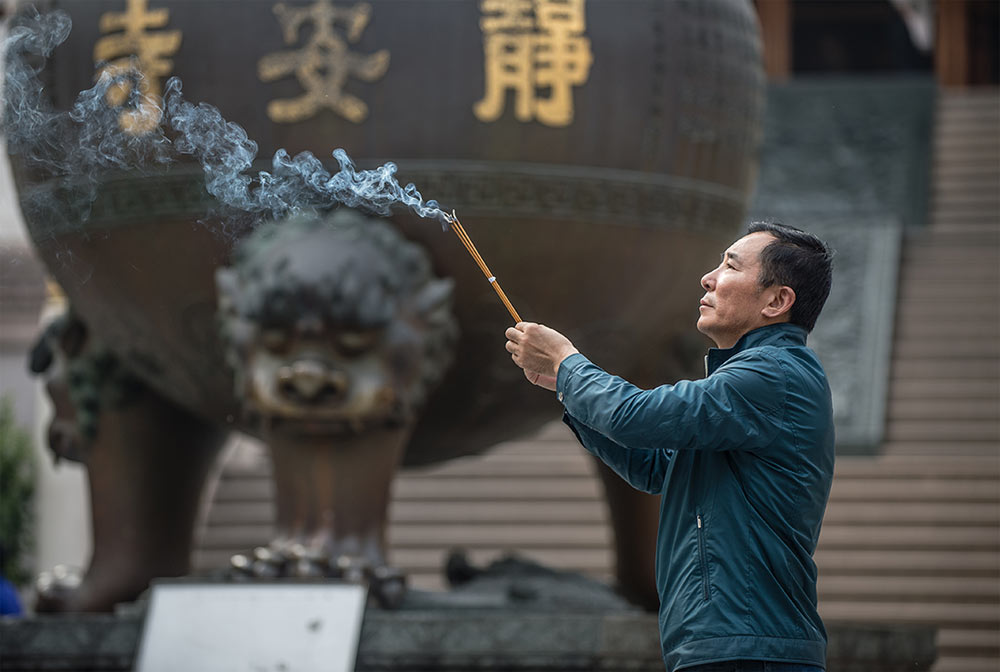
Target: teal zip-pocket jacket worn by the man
[743, 460]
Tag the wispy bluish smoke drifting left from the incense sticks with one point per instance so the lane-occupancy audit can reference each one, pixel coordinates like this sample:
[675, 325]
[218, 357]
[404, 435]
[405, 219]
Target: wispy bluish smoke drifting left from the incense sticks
[79, 143]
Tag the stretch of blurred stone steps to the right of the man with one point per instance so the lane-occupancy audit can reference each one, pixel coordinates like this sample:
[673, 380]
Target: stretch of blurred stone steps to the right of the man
[914, 535]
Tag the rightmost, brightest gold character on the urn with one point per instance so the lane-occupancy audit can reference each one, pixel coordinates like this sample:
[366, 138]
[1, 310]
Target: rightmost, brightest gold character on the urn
[535, 48]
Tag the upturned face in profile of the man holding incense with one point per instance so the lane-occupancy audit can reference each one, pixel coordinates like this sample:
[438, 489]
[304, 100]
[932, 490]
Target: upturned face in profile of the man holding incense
[734, 301]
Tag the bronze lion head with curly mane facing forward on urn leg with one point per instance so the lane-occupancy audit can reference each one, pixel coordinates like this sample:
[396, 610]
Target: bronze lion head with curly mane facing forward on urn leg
[335, 327]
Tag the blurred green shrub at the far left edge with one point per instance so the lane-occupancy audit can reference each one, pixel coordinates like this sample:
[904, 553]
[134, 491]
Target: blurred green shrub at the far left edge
[17, 485]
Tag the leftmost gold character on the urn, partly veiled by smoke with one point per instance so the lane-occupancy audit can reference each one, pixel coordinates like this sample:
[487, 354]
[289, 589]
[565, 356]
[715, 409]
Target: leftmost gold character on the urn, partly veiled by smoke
[132, 47]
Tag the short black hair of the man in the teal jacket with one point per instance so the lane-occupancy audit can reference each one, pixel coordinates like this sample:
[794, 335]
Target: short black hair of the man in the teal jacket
[798, 260]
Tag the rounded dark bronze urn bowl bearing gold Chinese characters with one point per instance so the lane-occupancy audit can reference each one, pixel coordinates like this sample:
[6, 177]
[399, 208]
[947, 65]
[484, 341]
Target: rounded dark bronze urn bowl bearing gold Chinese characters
[599, 152]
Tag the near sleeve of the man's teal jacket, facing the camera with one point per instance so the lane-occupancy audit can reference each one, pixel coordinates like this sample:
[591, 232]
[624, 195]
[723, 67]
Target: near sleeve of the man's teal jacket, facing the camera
[740, 406]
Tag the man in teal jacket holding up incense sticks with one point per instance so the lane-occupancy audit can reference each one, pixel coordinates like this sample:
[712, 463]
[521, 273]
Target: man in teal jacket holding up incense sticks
[743, 458]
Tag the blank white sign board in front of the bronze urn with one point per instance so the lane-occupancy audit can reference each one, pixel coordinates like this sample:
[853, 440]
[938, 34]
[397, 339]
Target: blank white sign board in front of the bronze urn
[269, 627]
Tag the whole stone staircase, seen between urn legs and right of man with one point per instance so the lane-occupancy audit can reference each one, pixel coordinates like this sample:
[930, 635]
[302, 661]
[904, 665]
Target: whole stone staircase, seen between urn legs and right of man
[910, 536]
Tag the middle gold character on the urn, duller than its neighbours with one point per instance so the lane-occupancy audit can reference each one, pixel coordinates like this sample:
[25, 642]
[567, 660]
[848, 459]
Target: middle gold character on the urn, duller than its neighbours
[323, 65]
